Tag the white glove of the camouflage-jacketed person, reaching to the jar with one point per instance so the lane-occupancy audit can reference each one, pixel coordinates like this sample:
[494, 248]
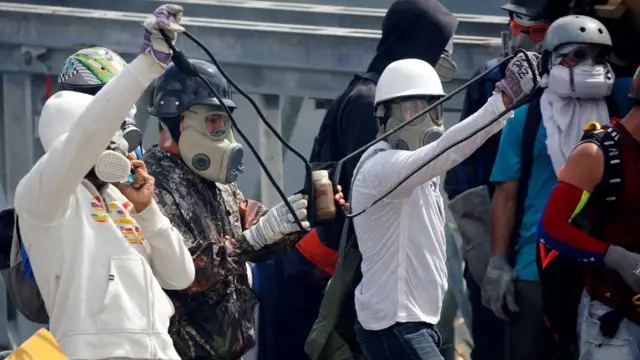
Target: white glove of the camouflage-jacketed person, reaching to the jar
[277, 223]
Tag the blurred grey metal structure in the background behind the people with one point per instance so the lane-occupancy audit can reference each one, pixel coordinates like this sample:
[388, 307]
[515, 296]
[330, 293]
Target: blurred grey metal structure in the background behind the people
[293, 56]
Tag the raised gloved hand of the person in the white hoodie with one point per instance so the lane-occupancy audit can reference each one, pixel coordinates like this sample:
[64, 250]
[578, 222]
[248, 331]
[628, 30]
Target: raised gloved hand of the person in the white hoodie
[166, 18]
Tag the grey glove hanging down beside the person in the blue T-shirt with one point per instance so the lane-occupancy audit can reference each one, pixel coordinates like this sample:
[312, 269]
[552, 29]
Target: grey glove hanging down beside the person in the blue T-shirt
[498, 287]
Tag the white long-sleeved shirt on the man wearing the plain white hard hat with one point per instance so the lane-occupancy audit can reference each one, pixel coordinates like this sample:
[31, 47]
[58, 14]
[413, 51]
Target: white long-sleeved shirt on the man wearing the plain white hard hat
[402, 238]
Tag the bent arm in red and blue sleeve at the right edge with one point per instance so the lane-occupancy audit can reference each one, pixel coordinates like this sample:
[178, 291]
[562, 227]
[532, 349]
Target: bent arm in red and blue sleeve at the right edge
[581, 174]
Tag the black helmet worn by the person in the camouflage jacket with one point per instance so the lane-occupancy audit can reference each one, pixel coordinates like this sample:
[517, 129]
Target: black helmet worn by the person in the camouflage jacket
[174, 92]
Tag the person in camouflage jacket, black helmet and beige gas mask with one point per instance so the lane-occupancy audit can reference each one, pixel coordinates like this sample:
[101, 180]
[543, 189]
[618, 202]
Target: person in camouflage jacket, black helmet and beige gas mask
[196, 163]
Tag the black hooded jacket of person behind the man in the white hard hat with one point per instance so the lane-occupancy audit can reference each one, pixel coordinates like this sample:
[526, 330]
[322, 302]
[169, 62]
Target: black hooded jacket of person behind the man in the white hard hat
[417, 29]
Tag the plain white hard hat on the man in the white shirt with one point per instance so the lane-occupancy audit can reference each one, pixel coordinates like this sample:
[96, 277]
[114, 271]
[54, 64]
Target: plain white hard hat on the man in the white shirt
[408, 78]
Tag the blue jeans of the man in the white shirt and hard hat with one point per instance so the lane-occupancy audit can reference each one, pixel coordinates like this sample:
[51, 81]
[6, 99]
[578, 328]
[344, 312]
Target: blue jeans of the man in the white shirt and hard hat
[401, 341]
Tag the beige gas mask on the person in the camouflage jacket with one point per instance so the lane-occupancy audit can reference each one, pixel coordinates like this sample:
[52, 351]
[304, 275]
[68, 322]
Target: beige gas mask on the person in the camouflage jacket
[207, 144]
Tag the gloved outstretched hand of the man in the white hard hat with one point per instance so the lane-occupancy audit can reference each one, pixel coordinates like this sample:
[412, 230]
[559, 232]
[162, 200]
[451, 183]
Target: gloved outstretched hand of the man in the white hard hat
[519, 80]
